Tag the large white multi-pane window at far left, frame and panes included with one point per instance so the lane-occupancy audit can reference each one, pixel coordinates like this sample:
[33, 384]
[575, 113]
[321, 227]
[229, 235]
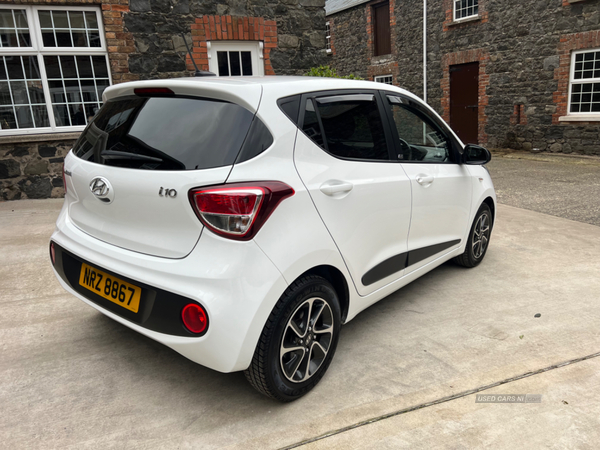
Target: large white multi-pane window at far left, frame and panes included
[53, 68]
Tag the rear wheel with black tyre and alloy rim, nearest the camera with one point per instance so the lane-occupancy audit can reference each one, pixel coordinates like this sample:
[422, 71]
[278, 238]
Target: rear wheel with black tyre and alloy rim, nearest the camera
[298, 341]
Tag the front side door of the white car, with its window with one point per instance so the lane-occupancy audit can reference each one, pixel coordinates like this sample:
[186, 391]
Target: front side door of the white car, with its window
[441, 189]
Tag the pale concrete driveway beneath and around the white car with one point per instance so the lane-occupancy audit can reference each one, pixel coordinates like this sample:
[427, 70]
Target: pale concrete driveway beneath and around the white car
[405, 374]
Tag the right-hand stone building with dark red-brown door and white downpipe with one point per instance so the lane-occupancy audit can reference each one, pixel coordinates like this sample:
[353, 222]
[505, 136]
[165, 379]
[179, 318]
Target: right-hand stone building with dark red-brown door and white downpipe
[504, 73]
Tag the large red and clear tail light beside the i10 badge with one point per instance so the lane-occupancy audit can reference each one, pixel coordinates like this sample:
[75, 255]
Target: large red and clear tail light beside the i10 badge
[238, 210]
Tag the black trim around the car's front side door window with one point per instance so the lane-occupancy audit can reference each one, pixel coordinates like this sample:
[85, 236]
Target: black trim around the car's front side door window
[455, 148]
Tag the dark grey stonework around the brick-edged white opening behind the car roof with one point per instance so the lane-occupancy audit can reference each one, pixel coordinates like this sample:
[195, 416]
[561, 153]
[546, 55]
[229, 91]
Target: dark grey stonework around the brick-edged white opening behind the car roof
[156, 26]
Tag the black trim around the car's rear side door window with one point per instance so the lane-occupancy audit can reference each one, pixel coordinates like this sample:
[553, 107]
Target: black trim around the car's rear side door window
[382, 112]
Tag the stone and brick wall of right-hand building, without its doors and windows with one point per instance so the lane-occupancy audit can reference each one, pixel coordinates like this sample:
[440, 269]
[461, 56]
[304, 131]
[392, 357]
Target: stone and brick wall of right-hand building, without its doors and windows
[524, 48]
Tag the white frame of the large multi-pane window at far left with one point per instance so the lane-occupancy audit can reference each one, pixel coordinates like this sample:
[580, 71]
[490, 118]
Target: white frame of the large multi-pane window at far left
[37, 49]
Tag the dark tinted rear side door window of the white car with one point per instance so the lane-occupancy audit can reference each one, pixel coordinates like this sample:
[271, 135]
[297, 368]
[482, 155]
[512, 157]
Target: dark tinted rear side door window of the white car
[347, 126]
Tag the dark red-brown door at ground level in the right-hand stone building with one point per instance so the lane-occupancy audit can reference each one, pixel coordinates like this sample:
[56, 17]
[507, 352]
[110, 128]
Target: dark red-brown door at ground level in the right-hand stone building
[464, 100]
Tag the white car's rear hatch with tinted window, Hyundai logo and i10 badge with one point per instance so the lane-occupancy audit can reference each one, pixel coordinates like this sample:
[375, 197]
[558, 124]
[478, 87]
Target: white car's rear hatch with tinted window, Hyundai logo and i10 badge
[129, 174]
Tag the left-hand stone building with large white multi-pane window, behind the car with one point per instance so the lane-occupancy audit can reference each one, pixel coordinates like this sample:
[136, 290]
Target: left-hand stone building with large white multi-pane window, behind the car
[57, 57]
